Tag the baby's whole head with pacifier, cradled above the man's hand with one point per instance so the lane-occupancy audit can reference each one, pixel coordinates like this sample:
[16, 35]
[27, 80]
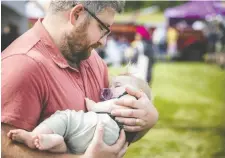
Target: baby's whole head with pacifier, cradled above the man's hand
[119, 83]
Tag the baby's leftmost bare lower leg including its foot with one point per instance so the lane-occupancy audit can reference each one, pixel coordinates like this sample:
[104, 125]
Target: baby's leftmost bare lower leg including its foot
[26, 137]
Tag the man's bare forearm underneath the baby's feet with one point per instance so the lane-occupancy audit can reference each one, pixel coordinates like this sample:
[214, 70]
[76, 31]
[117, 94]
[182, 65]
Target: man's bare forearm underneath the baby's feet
[11, 149]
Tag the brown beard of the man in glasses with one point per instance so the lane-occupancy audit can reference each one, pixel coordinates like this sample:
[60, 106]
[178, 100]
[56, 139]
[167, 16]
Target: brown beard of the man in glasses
[77, 46]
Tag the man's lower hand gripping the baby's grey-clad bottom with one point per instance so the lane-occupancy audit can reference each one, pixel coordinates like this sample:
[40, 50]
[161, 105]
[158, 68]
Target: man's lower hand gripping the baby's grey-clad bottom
[98, 149]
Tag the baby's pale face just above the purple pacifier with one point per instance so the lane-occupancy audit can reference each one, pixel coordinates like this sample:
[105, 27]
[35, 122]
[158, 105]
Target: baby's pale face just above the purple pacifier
[119, 84]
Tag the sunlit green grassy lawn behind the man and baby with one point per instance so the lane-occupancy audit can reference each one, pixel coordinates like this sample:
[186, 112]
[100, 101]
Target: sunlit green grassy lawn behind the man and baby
[190, 98]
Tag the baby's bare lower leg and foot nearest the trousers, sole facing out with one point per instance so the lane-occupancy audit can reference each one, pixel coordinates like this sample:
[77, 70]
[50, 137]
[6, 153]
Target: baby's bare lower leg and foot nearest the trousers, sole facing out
[50, 142]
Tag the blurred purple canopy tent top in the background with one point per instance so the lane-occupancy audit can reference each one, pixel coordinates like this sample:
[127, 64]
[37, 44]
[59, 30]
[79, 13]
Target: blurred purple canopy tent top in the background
[195, 10]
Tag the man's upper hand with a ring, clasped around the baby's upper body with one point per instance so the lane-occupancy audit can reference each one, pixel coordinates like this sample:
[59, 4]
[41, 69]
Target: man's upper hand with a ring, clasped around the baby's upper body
[142, 116]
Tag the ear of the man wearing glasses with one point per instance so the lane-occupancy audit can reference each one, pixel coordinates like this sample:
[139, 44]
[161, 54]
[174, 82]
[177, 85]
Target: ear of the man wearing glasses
[75, 13]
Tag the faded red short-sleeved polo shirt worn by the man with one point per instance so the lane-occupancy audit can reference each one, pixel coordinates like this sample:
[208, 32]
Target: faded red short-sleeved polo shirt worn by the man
[37, 80]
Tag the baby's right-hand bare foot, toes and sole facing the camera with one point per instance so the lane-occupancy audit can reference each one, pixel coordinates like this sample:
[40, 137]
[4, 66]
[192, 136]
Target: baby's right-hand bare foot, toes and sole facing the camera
[47, 141]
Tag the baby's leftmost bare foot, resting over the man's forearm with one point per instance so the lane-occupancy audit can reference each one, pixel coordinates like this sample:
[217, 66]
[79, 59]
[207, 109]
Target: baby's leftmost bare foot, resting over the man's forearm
[22, 136]
